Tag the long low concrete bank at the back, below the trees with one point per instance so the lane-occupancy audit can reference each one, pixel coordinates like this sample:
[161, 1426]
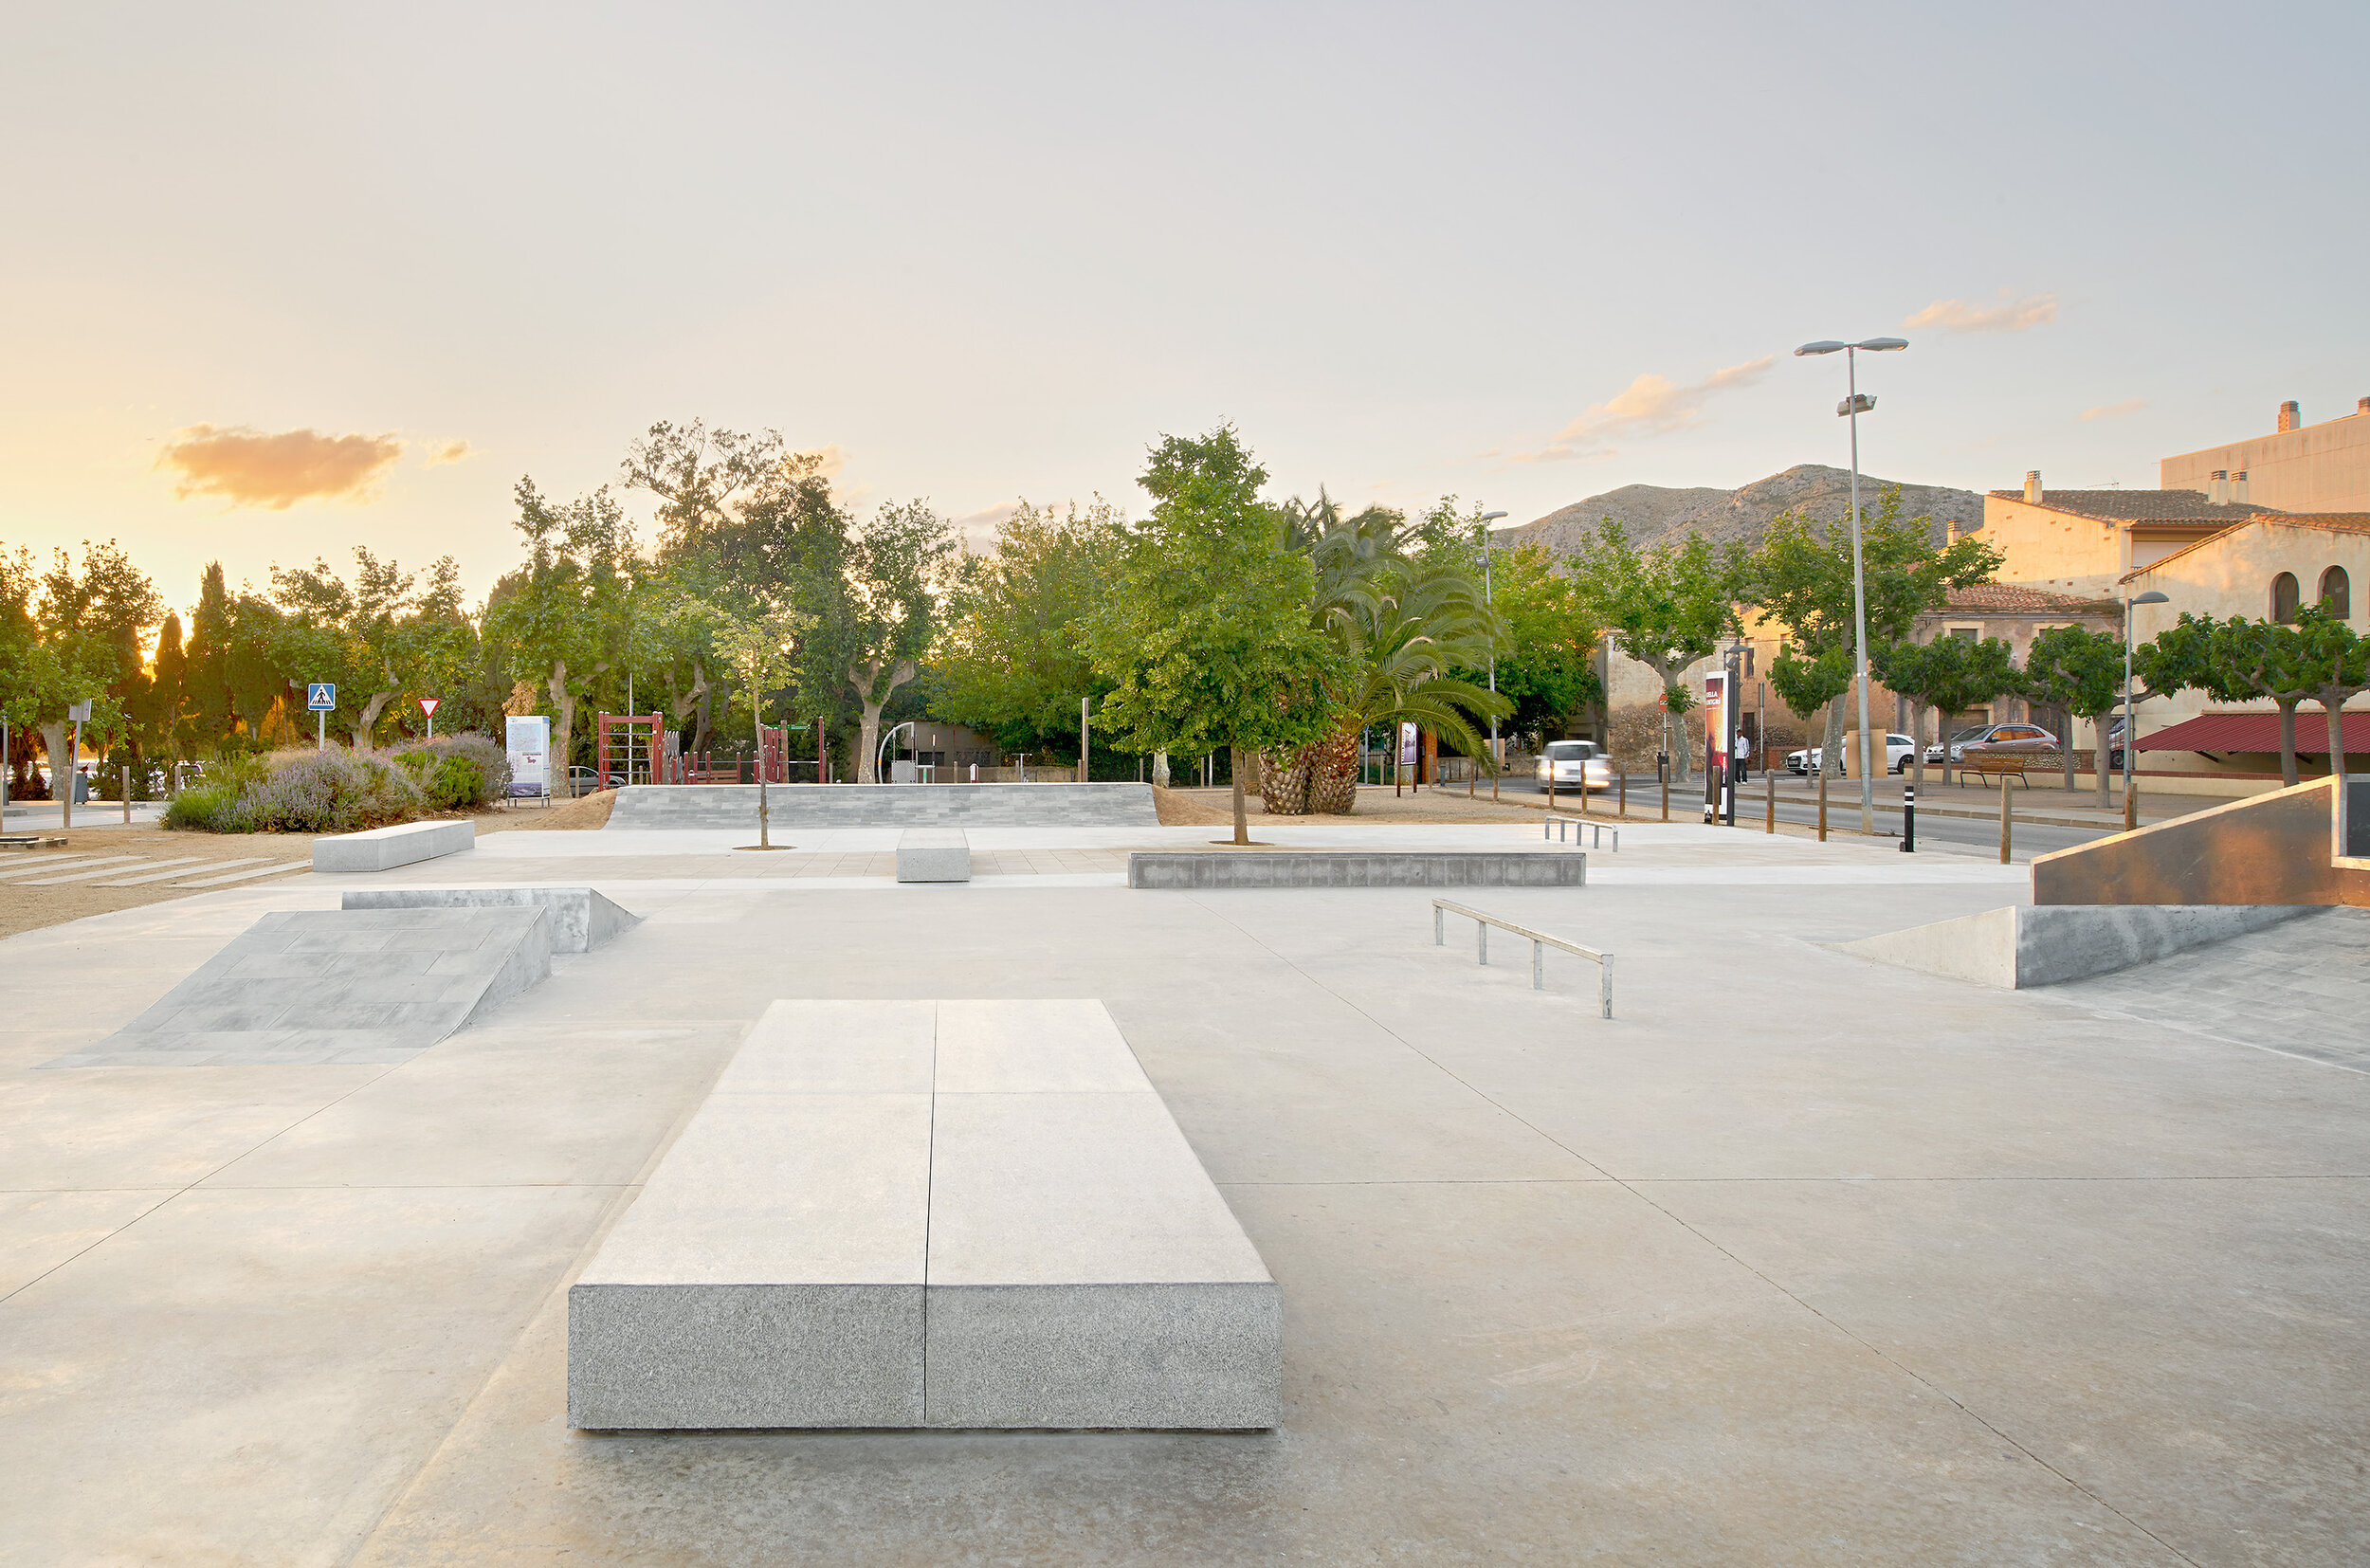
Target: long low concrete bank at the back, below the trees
[793, 807]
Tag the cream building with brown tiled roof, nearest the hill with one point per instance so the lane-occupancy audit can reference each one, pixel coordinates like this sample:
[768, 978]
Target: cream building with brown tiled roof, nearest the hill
[2084, 541]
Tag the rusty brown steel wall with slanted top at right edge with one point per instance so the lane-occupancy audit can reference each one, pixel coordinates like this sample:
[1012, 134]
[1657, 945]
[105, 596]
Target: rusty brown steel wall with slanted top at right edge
[2272, 849]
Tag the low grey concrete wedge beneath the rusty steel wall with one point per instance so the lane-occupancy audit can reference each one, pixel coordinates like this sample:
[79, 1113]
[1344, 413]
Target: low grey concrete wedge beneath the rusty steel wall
[2046, 944]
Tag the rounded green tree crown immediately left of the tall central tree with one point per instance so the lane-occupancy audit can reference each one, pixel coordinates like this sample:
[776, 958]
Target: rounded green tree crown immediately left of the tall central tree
[1013, 660]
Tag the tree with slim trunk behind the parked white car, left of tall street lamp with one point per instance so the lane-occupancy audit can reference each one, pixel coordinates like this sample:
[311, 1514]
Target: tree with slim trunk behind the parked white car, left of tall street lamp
[1667, 608]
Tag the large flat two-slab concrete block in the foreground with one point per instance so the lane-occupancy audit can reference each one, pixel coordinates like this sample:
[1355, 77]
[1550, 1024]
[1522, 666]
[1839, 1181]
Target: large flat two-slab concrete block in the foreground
[928, 1214]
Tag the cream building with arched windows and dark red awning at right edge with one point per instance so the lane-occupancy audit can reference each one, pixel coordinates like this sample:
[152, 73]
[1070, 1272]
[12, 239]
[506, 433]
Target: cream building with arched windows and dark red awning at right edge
[2262, 570]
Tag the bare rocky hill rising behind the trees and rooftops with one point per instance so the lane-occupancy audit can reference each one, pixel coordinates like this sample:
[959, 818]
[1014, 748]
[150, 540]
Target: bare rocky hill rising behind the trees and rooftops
[1655, 513]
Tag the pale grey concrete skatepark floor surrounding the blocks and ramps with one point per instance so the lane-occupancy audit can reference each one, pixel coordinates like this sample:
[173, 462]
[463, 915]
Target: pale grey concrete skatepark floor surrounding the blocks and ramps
[1793, 1261]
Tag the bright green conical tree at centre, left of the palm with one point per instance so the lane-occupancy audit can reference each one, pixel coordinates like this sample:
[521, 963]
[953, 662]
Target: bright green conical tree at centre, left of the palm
[1208, 636]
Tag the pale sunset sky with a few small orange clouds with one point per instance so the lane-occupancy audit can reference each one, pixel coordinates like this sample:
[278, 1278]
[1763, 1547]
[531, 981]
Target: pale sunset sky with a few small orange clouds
[288, 281]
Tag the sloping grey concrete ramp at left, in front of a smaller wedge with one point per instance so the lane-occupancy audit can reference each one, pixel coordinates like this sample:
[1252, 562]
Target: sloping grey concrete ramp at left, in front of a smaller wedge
[338, 987]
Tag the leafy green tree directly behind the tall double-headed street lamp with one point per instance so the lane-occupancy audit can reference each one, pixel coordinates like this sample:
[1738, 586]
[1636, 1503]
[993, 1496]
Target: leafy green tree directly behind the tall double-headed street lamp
[1802, 577]
